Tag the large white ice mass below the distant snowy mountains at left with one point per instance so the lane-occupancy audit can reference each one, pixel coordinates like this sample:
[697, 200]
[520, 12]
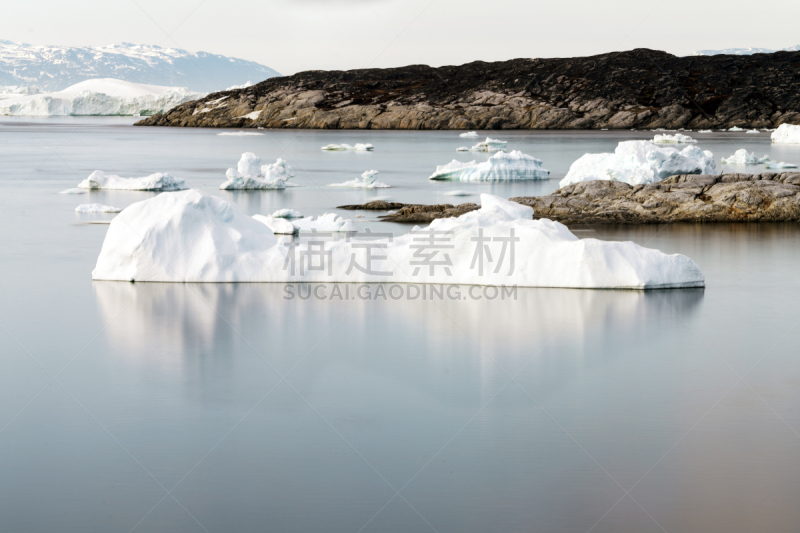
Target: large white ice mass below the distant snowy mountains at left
[105, 96]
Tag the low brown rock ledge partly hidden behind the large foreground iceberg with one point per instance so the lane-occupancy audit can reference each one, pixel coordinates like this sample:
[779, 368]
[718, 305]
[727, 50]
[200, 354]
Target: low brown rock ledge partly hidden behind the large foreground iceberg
[767, 197]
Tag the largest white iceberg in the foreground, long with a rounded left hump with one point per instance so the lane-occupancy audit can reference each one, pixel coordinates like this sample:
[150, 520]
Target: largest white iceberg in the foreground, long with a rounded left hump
[168, 238]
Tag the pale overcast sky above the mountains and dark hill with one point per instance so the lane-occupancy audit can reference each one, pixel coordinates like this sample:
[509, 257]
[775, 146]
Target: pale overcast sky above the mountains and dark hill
[295, 35]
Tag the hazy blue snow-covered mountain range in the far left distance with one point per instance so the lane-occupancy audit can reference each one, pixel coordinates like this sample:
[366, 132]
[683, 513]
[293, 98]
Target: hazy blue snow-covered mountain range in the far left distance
[53, 68]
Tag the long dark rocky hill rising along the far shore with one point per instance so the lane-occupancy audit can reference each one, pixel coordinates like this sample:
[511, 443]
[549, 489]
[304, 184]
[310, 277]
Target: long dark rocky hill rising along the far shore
[634, 89]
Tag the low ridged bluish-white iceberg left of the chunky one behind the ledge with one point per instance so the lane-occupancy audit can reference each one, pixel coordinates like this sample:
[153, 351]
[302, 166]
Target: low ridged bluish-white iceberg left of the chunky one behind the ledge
[501, 166]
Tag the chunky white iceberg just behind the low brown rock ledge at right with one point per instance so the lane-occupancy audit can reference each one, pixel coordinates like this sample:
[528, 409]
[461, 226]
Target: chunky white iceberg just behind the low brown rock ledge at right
[639, 162]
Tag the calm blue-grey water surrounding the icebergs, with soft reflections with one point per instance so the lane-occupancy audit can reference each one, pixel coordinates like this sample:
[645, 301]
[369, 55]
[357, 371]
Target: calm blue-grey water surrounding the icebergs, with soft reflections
[155, 407]
